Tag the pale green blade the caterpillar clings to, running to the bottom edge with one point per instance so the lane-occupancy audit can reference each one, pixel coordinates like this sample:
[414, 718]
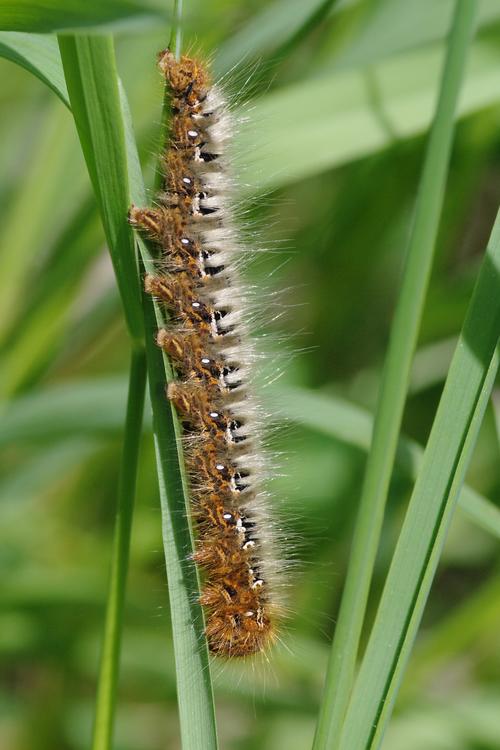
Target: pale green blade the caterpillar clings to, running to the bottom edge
[194, 689]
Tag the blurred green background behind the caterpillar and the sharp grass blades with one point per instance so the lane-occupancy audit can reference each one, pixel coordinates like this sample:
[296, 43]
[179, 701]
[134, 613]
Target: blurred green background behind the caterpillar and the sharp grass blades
[331, 145]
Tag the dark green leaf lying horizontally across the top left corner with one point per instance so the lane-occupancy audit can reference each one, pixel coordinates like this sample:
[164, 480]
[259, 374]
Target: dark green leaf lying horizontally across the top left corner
[66, 15]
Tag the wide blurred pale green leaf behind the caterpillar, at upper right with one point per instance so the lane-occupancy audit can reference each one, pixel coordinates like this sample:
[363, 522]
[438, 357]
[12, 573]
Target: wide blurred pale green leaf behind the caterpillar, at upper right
[331, 120]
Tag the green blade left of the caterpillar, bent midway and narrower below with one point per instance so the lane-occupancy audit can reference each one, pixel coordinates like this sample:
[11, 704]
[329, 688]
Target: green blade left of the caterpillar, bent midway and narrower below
[95, 99]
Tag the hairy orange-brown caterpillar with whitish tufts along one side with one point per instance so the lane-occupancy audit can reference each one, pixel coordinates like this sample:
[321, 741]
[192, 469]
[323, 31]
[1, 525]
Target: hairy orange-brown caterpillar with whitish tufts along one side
[197, 282]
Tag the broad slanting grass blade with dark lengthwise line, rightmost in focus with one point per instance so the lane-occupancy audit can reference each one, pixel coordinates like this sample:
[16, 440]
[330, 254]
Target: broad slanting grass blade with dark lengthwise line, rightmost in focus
[452, 439]
